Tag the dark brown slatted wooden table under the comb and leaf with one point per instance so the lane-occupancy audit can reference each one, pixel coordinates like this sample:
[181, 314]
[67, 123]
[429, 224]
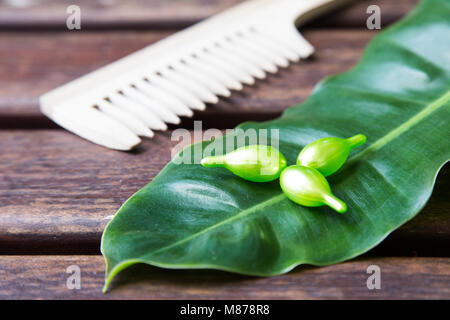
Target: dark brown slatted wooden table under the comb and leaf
[57, 190]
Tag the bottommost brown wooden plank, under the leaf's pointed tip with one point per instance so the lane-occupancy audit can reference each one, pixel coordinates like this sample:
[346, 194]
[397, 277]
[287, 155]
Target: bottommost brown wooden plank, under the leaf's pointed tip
[45, 277]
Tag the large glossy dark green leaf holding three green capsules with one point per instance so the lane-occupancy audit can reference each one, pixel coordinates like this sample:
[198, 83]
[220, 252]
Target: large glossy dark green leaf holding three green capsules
[398, 96]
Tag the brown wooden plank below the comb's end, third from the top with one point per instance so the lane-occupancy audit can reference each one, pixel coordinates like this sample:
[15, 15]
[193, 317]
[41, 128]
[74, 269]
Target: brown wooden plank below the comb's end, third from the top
[58, 192]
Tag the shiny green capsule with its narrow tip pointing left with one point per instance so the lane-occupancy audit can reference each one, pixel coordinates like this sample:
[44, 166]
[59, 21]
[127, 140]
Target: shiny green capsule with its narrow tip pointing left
[257, 163]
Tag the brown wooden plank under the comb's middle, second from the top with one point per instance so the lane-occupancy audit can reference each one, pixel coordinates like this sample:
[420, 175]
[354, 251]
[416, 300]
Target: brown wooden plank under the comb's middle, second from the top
[34, 63]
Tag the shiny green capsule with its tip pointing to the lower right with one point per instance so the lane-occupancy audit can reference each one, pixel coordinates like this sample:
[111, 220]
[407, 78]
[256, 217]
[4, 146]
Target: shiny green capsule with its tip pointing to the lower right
[308, 187]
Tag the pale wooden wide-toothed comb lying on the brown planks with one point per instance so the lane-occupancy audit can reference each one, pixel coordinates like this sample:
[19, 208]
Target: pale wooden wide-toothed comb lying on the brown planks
[168, 80]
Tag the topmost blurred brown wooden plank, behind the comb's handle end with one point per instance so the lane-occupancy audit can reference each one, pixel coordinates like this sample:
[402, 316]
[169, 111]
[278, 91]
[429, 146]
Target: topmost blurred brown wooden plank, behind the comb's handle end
[168, 13]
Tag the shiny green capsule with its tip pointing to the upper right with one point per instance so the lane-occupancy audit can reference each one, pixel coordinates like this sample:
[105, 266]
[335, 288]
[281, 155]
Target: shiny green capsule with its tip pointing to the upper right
[329, 154]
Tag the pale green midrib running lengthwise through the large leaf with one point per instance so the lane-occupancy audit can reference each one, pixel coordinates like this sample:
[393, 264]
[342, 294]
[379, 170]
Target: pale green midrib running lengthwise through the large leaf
[391, 135]
